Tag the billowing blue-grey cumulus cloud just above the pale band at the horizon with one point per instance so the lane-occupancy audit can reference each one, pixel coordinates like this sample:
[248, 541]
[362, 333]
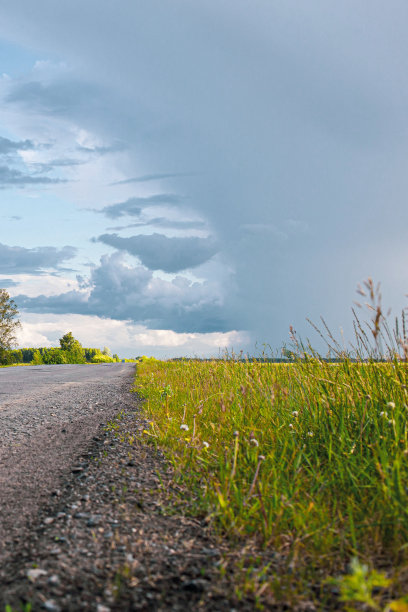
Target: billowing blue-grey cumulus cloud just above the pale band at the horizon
[134, 294]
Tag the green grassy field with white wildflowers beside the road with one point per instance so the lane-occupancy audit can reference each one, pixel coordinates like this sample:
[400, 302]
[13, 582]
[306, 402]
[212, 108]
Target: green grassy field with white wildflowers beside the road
[303, 463]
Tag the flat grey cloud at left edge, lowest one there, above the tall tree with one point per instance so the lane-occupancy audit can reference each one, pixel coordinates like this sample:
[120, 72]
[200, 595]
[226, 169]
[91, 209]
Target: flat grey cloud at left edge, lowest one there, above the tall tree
[19, 260]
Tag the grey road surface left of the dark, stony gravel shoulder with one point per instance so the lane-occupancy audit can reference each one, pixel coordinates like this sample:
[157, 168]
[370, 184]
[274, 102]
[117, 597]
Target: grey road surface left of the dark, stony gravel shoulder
[48, 415]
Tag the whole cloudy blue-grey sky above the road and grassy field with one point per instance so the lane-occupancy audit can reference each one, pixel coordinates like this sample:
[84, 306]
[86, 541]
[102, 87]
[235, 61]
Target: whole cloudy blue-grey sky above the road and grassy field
[178, 177]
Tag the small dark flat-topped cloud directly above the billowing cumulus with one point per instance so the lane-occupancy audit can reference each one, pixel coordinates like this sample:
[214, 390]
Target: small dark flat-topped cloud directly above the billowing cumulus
[159, 252]
